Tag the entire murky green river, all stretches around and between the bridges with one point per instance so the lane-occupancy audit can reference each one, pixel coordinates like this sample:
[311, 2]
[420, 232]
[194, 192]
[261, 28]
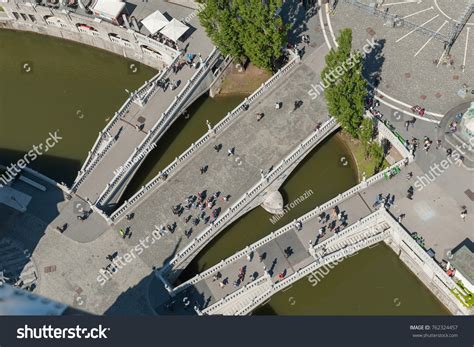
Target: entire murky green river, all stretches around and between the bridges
[48, 84]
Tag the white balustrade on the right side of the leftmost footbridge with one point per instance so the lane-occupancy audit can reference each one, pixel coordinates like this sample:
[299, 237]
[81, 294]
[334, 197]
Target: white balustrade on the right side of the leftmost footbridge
[166, 119]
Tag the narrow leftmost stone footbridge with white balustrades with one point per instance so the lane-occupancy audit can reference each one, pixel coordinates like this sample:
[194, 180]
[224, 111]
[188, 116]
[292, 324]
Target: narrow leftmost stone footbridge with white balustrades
[134, 130]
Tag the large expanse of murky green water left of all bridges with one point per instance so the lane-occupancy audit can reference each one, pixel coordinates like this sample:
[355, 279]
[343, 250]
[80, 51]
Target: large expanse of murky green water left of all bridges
[49, 85]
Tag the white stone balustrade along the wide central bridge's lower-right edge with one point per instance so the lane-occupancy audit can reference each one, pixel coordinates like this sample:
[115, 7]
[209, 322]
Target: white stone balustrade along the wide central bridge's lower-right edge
[253, 192]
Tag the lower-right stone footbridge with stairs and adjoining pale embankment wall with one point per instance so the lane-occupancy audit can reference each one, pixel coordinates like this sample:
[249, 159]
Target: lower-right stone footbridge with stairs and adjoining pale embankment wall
[298, 250]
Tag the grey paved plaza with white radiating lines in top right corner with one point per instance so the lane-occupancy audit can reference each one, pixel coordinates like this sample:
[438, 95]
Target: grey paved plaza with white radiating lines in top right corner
[408, 61]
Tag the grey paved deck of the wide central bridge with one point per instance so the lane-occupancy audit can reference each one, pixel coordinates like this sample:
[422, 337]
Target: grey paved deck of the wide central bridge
[258, 145]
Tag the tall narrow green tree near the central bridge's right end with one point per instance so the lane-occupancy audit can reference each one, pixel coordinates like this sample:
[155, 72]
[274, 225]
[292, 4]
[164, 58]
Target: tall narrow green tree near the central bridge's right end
[346, 88]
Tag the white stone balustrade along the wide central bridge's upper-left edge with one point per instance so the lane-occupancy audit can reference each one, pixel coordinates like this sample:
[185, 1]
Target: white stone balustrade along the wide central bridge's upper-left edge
[218, 128]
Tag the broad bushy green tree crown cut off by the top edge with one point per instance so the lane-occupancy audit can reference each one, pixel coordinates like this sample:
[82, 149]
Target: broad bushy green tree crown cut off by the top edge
[246, 28]
